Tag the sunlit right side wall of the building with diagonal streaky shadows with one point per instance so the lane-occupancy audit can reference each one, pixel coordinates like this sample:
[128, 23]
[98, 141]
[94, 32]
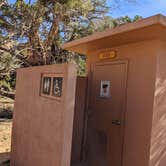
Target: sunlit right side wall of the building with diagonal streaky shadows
[158, 139]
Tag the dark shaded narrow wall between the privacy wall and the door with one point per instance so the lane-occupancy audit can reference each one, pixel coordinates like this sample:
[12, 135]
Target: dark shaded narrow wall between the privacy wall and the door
[79, 120]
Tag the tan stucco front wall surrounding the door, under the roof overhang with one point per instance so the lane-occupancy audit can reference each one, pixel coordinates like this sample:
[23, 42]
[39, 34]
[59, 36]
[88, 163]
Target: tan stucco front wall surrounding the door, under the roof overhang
[139, 98]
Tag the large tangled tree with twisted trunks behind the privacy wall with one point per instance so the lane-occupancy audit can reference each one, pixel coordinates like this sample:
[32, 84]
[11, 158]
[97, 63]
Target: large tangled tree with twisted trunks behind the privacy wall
[31, 33]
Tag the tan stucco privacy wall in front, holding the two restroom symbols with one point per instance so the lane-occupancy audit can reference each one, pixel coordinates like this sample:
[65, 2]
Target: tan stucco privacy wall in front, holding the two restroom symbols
[42, 127]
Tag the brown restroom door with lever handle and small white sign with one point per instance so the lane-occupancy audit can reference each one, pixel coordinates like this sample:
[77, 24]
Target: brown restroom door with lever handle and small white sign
[106, 114]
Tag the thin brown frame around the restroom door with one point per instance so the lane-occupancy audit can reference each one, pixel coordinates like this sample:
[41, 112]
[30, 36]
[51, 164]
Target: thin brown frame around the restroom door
[90, 78]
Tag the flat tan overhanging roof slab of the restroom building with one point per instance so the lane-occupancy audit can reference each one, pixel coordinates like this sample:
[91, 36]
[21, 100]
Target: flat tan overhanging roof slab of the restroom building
[150, 28]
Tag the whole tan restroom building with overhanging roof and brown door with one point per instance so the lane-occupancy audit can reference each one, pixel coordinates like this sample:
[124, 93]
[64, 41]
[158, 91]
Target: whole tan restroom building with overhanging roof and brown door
[126, 108]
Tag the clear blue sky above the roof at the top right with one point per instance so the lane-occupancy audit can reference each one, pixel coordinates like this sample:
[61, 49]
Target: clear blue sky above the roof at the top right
[131, 8]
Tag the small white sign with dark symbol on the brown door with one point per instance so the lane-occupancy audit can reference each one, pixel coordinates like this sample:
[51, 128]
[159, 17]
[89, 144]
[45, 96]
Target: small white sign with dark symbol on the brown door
[105, 88]
